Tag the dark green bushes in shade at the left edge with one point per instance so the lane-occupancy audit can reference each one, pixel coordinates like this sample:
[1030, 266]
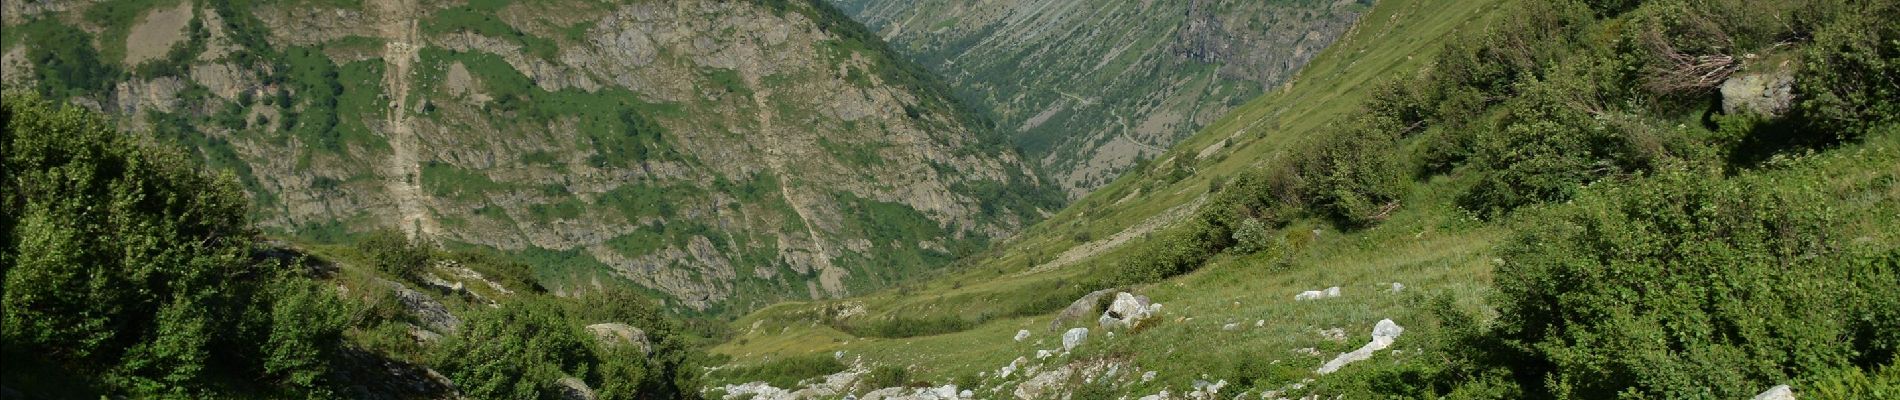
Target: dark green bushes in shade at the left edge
[134, 272]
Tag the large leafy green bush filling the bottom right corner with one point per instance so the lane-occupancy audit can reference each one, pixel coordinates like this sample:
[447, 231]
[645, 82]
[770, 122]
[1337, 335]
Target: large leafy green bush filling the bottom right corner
[1688, 285]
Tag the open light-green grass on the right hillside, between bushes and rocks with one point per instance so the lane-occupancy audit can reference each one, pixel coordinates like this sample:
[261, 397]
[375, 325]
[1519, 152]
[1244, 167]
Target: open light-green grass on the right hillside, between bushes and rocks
[1439, 251]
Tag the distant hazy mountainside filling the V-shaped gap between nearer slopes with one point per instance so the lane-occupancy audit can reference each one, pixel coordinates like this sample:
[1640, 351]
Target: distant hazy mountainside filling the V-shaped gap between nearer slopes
[1092, 88]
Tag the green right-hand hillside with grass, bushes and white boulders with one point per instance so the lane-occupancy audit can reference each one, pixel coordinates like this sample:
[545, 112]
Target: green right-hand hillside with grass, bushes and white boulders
[1458, 200]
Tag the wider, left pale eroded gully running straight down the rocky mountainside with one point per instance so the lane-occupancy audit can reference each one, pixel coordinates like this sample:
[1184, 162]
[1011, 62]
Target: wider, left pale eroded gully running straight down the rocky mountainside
[396, 22]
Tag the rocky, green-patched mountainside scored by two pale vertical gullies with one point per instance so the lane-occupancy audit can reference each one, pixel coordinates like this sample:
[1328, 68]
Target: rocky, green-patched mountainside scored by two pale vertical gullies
[715, 153]
